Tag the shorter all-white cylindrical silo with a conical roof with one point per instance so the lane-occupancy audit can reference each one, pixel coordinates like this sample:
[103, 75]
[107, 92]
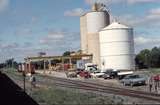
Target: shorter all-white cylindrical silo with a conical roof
[117, 47]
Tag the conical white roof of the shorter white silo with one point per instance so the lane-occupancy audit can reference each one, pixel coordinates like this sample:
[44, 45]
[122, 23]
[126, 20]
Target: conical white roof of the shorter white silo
[116, 25]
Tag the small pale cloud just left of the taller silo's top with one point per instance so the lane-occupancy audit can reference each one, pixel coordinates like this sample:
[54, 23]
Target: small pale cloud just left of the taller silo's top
[74, 12]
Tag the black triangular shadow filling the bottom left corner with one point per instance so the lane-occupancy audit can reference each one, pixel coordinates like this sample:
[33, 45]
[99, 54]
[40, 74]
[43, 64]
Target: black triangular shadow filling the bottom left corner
[12, 94]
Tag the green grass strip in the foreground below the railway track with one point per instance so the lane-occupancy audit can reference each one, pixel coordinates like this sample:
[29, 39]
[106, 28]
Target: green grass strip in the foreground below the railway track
[55, 96]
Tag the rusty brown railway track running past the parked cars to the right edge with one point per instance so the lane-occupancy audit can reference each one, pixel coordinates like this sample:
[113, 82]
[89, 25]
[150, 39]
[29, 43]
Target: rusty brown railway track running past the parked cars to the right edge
[77, 84]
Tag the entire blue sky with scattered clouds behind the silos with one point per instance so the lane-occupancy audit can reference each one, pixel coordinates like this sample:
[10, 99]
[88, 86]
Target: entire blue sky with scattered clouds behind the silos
[30, 26]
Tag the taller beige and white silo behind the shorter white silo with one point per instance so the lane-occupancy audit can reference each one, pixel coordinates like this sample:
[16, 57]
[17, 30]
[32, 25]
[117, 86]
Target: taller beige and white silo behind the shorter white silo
[90, 25]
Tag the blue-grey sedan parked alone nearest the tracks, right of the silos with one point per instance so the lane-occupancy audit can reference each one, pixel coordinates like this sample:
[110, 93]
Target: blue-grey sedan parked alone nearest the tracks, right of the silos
[133, 80]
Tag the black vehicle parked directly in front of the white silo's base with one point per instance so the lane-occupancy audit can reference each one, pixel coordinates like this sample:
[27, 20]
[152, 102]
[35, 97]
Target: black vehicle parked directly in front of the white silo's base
[110, 74]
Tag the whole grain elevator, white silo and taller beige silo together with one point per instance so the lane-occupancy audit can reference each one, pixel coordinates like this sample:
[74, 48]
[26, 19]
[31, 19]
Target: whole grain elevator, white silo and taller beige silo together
[111, 45]
